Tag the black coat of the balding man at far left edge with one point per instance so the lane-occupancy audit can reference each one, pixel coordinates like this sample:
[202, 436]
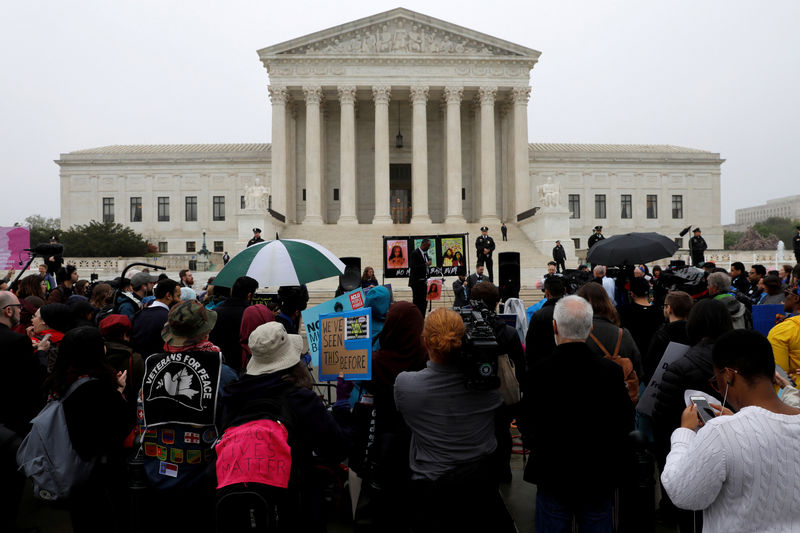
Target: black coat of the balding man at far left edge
[20, 395]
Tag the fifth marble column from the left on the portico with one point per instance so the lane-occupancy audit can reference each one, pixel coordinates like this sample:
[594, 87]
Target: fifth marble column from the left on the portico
[419, 155]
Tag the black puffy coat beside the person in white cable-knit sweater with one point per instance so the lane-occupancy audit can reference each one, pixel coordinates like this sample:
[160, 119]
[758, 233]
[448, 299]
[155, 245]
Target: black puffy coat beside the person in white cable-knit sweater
[692, 371]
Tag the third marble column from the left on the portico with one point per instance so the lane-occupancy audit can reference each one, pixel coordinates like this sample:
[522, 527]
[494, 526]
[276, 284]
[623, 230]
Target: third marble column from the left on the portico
[347, 156]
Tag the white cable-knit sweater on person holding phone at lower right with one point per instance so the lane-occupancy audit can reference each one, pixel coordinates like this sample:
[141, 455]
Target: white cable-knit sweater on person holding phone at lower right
[741, 470]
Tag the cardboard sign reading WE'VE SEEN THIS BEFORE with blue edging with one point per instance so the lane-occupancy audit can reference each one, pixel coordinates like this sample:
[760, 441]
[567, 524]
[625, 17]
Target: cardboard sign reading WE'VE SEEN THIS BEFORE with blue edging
[346, 345]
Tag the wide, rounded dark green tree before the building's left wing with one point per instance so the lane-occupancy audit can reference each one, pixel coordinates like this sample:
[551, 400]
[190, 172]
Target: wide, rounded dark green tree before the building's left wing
[103, 239]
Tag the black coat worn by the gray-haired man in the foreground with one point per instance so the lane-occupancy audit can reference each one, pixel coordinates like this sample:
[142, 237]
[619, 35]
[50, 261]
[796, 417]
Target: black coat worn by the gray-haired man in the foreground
[576, 435]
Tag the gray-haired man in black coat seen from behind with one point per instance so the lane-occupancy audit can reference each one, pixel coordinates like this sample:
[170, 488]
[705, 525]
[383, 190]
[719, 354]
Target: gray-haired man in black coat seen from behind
[575, 480]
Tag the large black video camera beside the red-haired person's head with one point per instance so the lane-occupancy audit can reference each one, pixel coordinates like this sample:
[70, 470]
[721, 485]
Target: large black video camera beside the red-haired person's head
[479, 348]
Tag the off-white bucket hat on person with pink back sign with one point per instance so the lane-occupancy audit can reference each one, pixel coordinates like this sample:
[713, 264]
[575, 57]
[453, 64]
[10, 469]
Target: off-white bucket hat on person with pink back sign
[273, 349]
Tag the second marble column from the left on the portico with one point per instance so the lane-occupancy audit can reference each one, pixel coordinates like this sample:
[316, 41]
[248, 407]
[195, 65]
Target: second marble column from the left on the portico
[313, 97]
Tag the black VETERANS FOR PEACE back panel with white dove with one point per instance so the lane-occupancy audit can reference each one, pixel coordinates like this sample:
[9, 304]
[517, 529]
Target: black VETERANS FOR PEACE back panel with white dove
[181, 388]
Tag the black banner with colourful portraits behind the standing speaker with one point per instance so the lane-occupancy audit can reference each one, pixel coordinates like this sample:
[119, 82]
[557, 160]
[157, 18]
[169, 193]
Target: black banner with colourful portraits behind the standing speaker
[447, 253]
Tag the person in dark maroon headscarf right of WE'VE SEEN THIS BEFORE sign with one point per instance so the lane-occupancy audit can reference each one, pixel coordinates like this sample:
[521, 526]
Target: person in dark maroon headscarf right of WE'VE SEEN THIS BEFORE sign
[383, 462]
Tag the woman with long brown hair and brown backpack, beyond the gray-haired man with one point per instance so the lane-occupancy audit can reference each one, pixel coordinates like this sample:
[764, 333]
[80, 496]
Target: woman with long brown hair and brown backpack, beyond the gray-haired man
[606, 327]
